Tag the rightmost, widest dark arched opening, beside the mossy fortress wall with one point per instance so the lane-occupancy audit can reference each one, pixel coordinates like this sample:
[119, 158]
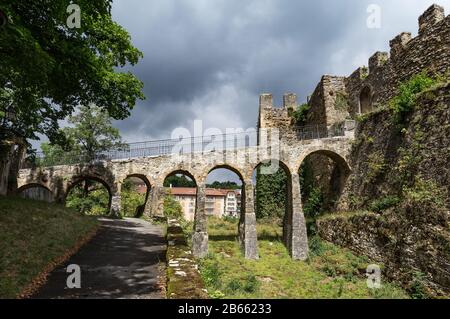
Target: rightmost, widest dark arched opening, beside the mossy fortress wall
[323, 175]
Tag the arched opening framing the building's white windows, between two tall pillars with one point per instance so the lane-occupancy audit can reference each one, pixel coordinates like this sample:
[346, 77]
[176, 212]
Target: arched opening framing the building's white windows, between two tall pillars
[225, 202]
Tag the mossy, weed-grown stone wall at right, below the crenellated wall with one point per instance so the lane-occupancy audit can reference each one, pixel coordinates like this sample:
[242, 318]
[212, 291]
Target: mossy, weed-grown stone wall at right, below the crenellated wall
[410, 237]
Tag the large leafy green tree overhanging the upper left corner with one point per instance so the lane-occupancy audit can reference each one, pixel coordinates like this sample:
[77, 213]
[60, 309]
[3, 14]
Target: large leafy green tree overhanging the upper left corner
[47, 69]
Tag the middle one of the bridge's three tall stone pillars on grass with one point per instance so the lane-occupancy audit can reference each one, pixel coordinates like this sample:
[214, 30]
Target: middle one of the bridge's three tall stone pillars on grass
[247, 223]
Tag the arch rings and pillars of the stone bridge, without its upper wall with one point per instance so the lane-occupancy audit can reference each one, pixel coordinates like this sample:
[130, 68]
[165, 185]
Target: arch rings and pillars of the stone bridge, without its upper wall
[294, 229]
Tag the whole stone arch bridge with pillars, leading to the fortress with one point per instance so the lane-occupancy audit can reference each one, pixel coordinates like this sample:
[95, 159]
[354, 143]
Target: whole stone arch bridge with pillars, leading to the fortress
[287, 153]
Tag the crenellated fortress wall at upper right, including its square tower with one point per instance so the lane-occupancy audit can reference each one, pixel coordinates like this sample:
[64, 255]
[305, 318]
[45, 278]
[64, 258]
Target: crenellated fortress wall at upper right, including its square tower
[379, 82]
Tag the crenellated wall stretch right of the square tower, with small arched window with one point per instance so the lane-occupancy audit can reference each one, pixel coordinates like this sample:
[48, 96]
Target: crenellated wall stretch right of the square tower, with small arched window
[430, 51]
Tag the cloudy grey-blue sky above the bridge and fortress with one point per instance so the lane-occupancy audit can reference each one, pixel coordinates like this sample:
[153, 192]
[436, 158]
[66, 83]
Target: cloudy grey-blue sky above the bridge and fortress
[210, 59]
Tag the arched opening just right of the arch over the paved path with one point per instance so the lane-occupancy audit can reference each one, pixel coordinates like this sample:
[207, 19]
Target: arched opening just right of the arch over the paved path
[134, 195]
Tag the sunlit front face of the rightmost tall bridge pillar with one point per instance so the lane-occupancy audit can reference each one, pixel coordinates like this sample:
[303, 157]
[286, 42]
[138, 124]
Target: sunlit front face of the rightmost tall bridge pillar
[297, 236]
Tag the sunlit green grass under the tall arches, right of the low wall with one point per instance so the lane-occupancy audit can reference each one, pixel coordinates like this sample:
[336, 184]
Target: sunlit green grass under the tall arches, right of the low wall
[330, 272]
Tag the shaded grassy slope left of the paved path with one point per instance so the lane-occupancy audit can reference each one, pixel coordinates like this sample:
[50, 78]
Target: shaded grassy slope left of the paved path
[32, 234]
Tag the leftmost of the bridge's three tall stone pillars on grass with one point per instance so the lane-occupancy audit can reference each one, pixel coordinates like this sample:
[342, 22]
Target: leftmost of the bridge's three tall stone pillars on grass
[200, 236]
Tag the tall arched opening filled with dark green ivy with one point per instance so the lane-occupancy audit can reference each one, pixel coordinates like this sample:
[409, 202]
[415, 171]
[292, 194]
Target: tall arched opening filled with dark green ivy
[273, 202]
